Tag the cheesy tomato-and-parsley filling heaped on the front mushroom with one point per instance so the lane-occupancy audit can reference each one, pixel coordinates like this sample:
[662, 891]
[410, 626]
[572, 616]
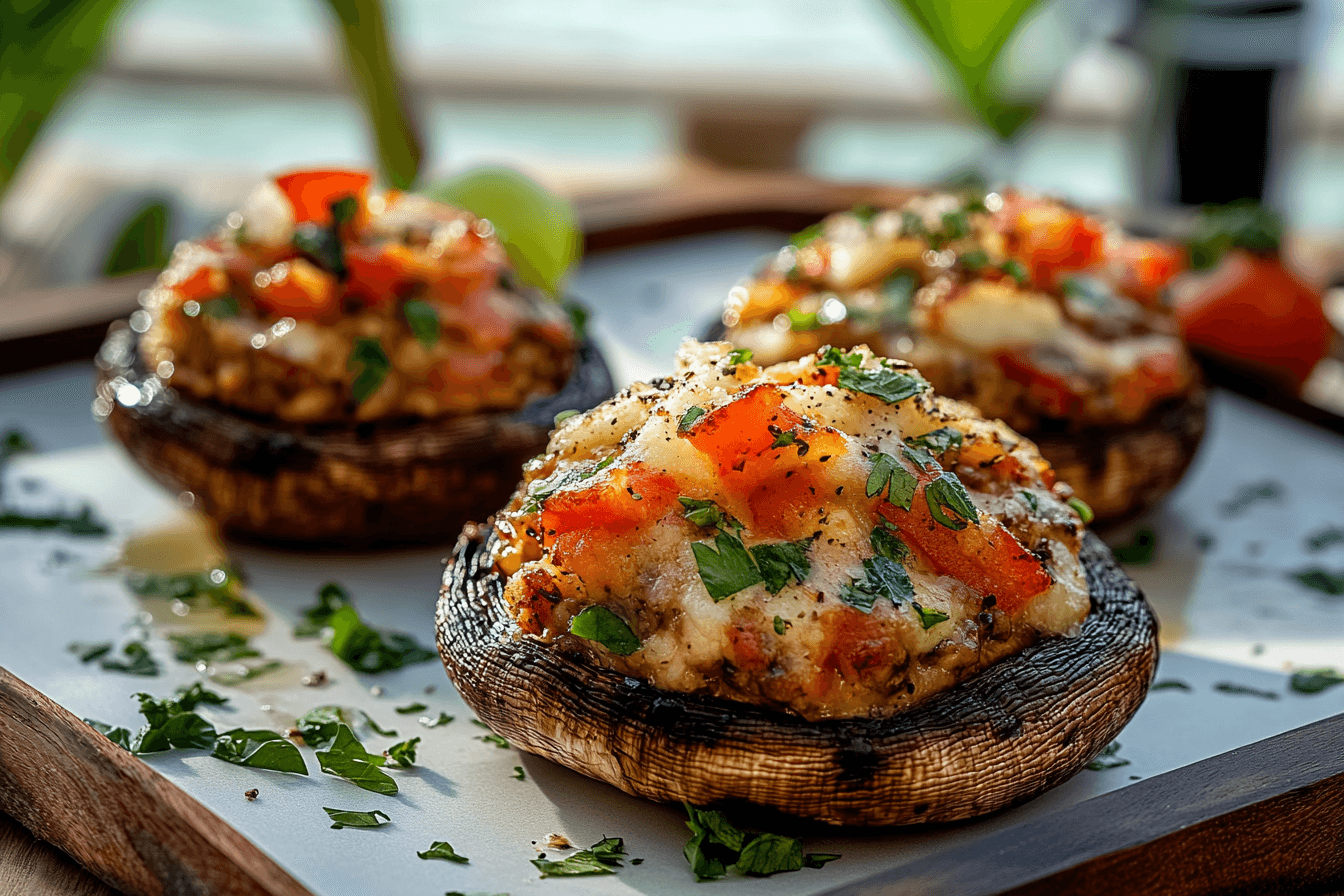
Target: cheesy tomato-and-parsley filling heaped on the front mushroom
[822, 537]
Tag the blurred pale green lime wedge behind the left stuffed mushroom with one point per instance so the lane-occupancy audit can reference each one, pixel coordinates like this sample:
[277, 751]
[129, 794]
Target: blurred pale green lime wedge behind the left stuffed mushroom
[540, 230]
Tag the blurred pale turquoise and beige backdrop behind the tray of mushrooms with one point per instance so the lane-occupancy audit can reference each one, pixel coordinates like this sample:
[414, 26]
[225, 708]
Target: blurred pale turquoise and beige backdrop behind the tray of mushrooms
[190, 101]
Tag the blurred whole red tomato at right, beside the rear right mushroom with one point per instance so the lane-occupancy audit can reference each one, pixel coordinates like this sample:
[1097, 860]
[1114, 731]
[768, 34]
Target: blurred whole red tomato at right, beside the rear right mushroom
[1253, 310]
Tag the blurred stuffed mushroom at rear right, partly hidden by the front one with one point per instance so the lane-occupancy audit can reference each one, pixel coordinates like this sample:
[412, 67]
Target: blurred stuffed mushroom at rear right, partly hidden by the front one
[1046, 318]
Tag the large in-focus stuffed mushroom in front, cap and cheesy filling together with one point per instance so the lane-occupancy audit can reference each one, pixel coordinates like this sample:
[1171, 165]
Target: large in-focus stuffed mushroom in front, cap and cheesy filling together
[812, 586]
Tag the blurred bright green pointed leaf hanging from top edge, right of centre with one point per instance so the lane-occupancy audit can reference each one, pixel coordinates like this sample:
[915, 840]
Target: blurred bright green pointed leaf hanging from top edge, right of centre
[970, 38]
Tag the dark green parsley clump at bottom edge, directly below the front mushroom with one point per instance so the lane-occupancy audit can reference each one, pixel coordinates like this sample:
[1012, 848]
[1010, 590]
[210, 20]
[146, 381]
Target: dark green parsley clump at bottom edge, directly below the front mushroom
[717, 846]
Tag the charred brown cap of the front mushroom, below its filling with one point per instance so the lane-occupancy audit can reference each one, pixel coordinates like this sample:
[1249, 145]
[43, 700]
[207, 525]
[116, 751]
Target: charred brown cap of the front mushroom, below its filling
[1010, 733]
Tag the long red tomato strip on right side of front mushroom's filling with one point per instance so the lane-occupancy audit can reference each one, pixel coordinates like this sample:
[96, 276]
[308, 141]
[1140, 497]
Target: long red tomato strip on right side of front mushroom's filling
[984, 555]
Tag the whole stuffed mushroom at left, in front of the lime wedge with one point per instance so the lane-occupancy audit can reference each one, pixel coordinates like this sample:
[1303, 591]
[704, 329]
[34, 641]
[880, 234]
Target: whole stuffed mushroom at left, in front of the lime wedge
[343, 365]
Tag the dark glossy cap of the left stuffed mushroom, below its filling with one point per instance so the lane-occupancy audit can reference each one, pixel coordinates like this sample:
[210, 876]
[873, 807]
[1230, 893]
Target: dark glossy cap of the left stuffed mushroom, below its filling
[360, 486]
